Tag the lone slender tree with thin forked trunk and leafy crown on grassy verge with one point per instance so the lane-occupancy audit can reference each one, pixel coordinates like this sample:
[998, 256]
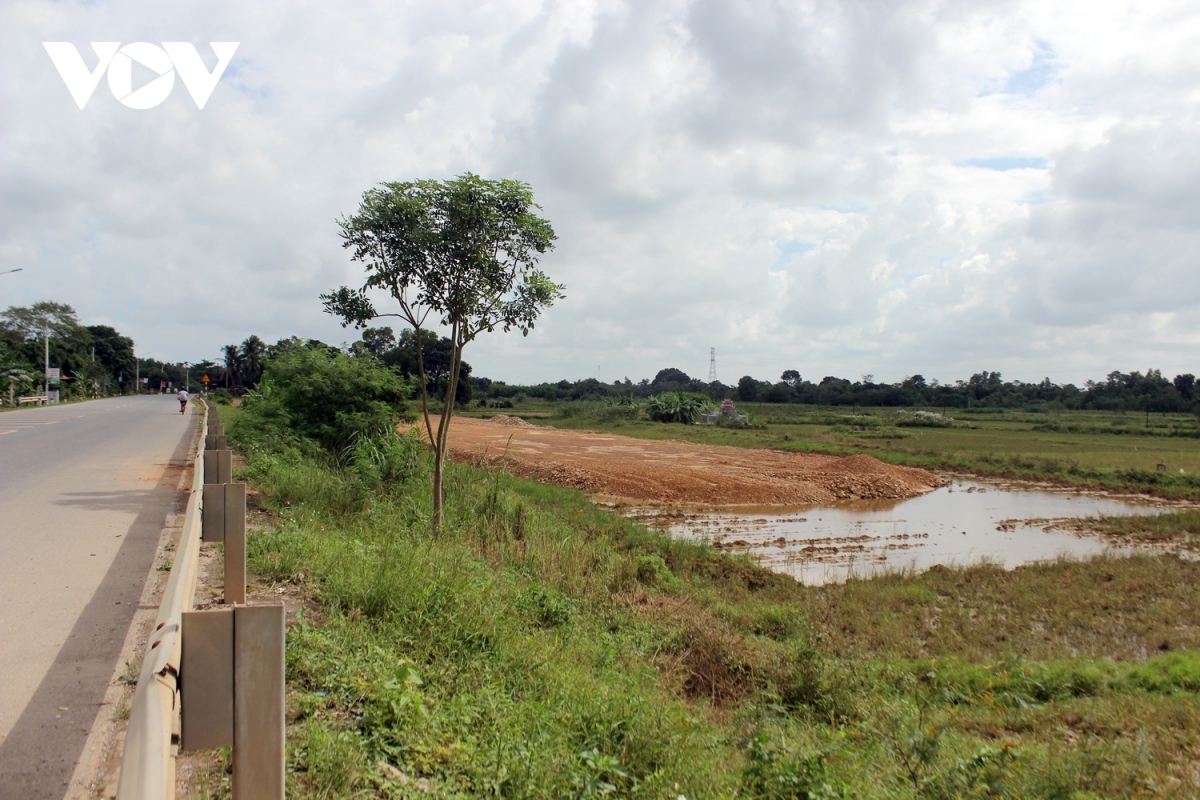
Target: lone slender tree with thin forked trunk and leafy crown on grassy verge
[460, 254]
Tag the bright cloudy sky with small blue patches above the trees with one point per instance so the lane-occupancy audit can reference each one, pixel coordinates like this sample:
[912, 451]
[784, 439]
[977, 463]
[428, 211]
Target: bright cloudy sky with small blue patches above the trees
[843, 189]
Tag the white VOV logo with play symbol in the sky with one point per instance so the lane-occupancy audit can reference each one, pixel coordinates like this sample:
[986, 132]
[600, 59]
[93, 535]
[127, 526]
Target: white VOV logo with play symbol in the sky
[166, 62]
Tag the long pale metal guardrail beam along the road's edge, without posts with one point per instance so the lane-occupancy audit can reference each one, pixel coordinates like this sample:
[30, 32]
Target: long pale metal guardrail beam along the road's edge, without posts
[152, 739]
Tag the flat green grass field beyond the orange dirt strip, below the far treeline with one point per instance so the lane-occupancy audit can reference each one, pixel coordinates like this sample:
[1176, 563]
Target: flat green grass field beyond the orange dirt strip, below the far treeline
[1099, 450]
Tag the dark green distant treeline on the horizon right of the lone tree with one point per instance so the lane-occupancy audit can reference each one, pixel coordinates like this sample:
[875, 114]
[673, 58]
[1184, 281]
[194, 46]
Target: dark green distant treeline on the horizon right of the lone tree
[1133, 392]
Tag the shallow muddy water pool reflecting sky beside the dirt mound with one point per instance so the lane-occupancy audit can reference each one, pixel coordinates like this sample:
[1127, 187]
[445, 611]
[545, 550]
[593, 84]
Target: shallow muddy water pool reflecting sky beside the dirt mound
[962, 524]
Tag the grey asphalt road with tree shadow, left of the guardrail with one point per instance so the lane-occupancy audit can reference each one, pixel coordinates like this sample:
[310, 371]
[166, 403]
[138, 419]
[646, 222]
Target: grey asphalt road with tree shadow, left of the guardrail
[86, 491]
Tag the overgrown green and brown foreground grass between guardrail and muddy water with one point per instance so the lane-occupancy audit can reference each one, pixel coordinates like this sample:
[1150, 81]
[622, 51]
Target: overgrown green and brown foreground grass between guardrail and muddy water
[542, 647]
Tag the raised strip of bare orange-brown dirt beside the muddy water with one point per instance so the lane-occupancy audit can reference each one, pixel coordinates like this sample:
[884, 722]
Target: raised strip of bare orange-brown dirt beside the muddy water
[647, 471]
